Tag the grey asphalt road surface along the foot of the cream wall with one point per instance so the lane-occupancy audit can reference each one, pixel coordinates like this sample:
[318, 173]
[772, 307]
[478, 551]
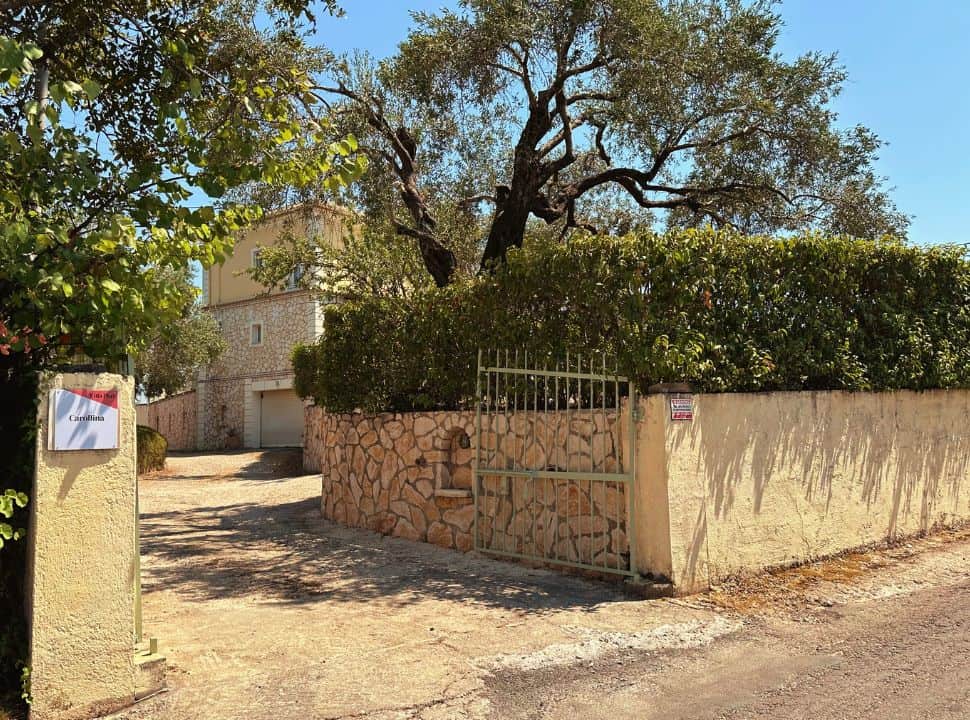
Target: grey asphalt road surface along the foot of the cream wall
[902, 656]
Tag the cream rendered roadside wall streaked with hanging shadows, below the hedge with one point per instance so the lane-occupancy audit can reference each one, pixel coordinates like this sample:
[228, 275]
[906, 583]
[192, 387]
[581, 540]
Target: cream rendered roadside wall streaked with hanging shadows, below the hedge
[761, 480]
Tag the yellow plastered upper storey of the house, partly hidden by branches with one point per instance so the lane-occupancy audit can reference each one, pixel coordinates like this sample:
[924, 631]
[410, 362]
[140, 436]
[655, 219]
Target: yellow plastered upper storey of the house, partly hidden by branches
[229, 283]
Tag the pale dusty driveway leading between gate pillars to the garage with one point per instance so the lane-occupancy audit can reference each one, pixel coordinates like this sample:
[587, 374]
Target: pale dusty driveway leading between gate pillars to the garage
[265, 610]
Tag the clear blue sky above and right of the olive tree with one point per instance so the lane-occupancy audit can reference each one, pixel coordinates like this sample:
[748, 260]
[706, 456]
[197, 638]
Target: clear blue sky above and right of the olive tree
[909, 80]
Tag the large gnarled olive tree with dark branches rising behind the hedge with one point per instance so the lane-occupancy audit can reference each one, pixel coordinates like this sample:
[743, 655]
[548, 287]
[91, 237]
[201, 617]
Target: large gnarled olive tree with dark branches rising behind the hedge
[676, 112]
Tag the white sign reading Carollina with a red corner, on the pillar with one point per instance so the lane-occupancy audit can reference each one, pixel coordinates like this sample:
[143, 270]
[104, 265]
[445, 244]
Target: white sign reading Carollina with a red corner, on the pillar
[84, 419]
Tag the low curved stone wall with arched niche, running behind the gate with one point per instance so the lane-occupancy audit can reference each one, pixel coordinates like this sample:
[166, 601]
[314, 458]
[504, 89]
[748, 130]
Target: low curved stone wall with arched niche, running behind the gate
[410, 475]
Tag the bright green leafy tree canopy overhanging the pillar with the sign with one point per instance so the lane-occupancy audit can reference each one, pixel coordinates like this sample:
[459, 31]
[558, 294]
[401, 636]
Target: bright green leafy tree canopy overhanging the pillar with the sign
[112, 116]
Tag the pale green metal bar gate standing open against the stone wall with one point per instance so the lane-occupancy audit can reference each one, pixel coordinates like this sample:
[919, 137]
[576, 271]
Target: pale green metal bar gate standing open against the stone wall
[555, 461]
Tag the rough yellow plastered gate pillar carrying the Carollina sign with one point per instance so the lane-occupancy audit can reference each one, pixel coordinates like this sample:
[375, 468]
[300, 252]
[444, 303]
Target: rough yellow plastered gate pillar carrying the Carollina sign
[81, 565]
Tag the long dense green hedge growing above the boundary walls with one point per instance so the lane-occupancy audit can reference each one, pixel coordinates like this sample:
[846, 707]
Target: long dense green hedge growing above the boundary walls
[721, 311]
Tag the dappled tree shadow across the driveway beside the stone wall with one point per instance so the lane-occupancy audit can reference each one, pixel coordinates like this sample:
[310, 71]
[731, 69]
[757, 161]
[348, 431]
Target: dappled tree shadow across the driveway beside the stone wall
[288, 553]
